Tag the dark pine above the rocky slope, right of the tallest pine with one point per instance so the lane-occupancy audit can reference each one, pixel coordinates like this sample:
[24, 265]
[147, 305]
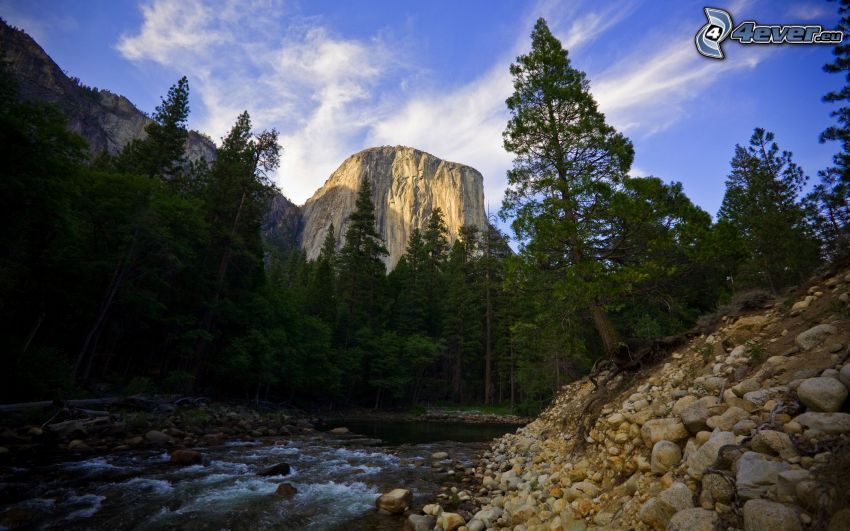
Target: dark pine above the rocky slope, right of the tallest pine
[761, 203]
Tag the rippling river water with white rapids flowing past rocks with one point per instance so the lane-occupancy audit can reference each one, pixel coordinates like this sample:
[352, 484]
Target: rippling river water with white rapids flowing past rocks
[337, 478]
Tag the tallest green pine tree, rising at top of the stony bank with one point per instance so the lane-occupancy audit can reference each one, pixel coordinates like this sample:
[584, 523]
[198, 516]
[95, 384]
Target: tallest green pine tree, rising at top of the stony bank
[567, 163]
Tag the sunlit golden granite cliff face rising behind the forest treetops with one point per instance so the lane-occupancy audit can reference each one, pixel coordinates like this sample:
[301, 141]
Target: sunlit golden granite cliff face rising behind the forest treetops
[407, 185]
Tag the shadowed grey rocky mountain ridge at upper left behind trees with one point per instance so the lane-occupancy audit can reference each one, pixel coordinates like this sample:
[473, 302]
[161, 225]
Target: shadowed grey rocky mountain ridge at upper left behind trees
[106, 120]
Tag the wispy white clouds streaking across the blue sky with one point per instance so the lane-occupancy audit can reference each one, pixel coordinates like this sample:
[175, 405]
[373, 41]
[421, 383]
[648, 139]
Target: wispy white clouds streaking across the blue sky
[331, 96]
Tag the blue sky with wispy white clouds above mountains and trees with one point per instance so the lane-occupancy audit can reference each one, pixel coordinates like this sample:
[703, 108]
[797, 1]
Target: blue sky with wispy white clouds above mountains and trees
[336, 77]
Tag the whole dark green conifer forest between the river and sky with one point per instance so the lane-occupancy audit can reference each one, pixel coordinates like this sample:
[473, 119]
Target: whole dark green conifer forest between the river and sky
[143, 272]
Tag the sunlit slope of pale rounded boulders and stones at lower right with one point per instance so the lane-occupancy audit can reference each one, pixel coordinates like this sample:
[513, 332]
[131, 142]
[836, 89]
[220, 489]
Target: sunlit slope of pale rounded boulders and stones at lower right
[746, 428]
